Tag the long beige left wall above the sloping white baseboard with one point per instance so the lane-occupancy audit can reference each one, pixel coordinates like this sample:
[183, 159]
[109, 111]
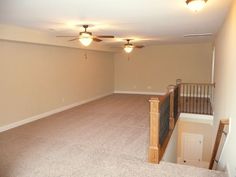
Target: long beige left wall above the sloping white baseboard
[35, 79]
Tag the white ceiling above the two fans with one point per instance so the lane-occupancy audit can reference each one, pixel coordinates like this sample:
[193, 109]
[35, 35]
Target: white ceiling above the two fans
[157, 21]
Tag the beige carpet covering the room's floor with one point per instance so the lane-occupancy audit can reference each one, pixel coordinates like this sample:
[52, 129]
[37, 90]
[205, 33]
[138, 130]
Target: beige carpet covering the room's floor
[105, 138]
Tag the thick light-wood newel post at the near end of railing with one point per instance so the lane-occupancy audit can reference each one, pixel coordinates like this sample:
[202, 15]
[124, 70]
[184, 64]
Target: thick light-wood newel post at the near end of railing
[154, 149]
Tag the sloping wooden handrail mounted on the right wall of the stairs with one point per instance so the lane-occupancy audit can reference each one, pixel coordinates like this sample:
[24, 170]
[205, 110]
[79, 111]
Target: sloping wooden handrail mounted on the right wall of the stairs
[220, 131]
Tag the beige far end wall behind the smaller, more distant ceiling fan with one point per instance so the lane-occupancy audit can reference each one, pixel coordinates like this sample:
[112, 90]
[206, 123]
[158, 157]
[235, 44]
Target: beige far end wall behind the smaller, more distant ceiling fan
[153, 68]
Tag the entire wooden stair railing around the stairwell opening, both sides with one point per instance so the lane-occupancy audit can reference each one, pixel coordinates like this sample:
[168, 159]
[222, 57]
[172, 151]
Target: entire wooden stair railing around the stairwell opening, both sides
[164, 112]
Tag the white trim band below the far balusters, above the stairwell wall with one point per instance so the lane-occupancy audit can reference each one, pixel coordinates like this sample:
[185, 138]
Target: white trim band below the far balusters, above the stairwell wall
[199, 118]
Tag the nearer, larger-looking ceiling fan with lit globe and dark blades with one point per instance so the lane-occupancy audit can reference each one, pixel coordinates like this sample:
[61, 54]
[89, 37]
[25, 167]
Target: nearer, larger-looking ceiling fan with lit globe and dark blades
[86, 37]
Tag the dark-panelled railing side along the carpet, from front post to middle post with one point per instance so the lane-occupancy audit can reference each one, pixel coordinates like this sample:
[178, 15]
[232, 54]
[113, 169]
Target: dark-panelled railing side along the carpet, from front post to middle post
[162, 122]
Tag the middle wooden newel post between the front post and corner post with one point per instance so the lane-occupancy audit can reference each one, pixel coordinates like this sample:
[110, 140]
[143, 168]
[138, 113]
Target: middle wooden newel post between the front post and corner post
[171, 119]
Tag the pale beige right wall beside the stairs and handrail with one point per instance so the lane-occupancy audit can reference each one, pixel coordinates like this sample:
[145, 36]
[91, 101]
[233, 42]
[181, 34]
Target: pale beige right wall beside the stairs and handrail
[225, 91]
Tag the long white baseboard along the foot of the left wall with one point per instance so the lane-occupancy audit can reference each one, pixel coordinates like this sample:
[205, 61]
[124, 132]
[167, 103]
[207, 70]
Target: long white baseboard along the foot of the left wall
[48, 113]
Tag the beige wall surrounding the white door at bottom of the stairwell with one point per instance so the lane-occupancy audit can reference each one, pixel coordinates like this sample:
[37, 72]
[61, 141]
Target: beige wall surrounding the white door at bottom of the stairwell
[196, 128]
